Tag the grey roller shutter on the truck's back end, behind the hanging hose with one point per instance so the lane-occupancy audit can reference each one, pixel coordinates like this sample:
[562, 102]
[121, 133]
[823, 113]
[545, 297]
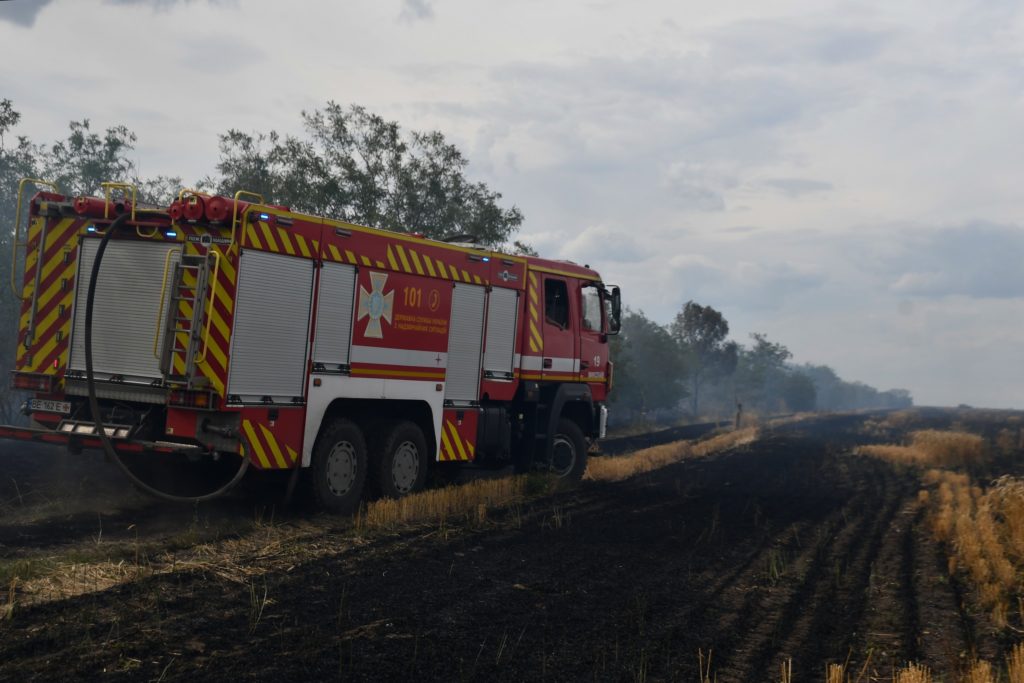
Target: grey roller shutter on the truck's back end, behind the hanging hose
[125, 316]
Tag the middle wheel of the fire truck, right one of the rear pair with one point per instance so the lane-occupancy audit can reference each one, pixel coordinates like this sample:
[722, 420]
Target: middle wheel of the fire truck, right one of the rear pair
[400, 460]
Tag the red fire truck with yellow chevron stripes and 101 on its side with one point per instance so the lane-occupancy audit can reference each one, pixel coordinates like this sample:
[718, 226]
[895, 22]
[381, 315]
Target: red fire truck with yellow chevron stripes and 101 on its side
[358, 358]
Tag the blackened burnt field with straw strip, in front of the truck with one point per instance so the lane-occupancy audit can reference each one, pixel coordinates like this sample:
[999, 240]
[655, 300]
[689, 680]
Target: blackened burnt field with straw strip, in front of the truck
[788, 548]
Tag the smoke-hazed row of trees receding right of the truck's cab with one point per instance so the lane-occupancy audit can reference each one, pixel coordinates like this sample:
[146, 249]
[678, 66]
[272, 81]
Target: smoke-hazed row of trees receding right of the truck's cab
[691, 369]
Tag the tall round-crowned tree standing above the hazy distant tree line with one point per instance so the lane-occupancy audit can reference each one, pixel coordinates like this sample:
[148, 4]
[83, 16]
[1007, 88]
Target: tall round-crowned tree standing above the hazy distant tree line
[701, 333]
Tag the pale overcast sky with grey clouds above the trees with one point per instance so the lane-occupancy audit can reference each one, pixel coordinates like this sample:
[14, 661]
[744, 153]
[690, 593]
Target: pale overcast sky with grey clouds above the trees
[845, 178]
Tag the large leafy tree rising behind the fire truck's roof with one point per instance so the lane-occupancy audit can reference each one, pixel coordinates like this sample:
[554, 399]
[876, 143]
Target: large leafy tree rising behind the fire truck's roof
[357, 166]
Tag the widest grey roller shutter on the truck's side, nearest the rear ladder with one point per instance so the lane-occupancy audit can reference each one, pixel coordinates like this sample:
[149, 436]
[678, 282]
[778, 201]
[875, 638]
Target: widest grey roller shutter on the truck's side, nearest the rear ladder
[272, 326]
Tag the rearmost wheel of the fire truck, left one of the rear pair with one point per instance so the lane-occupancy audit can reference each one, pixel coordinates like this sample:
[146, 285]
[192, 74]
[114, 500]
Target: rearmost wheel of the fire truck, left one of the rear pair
[337, 473]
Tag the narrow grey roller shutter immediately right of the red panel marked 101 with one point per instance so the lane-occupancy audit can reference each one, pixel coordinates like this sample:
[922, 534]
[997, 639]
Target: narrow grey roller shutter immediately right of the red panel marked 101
[465, 340]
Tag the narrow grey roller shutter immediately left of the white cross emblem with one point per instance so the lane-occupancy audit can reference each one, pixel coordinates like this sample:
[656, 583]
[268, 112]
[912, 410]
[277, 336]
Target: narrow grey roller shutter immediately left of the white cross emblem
[334, 316]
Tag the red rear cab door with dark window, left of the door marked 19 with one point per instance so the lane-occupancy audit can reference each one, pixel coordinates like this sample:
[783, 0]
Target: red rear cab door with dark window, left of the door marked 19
[562, 336]
